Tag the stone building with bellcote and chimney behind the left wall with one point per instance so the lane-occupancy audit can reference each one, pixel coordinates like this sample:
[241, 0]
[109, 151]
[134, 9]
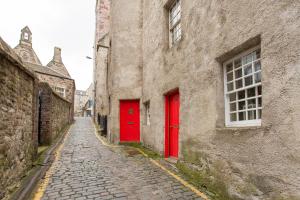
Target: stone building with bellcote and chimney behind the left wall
[55, 73]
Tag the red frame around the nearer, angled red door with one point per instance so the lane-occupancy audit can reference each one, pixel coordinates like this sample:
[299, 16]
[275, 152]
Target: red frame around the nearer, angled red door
[167, 120]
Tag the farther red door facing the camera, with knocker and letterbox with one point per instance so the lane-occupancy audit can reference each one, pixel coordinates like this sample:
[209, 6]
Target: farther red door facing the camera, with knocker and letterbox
[130, 121]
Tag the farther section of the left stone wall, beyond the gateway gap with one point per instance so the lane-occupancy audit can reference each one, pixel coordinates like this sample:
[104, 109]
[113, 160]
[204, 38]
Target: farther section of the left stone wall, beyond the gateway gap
[55, 114]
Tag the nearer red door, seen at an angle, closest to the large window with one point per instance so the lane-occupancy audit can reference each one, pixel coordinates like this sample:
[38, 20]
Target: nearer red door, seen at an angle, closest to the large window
[172, 125]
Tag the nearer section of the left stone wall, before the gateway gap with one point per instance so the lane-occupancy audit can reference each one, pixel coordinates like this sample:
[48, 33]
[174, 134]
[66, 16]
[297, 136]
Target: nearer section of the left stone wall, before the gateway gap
[18, 133]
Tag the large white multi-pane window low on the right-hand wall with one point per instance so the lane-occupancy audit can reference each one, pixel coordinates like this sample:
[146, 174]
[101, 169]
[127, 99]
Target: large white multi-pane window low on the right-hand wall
[243, 89]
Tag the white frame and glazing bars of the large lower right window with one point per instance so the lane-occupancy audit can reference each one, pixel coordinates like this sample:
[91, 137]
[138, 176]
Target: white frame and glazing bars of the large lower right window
[245, 123]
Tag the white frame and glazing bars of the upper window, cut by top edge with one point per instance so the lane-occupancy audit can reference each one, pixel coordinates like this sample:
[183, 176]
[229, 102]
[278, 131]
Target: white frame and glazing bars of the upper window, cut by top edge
[177, 24]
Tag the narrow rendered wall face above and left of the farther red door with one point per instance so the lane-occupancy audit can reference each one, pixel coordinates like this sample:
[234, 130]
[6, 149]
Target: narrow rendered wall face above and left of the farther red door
[125, 67]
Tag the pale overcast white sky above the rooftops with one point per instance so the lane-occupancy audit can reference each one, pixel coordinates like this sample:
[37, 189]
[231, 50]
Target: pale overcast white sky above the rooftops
[68, 24]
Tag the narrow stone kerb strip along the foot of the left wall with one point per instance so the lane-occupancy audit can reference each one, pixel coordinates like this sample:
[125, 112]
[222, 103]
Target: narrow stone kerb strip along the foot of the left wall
[30, 183]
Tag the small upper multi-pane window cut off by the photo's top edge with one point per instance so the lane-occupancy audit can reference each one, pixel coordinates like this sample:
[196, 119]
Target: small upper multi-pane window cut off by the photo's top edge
[175, 22]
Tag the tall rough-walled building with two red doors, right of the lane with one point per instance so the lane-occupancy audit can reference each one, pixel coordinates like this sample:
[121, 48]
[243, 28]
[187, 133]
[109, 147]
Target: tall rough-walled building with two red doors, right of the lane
[212, 83]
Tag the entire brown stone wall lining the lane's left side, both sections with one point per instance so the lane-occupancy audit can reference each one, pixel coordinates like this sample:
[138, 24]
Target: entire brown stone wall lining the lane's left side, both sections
[19, 118]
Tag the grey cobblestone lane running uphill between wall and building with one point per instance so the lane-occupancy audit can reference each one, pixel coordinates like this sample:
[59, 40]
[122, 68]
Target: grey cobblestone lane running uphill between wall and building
[87, 169]
